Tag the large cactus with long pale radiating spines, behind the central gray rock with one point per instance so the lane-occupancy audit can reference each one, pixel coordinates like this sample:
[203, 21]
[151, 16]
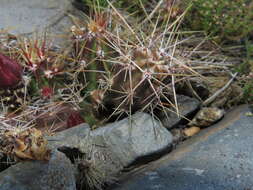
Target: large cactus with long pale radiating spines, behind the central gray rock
[130, 66]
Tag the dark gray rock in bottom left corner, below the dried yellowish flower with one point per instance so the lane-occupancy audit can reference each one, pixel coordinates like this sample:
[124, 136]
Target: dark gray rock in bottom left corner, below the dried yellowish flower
[55, 174]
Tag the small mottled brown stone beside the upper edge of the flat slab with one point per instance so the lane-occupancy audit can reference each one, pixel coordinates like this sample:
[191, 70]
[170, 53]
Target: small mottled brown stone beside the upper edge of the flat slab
[206, 117]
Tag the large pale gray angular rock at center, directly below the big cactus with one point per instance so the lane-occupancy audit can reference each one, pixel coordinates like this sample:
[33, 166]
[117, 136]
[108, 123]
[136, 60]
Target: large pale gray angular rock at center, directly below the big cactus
[118, 144]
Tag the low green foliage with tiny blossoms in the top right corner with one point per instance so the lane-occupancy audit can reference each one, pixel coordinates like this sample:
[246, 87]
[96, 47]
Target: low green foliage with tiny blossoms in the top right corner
[226, 19]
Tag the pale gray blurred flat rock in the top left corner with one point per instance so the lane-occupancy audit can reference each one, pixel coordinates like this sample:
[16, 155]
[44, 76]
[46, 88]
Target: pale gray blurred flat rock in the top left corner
[25, 17]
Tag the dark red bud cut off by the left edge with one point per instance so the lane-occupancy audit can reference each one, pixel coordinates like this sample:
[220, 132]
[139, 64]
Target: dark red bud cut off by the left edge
[10, 72]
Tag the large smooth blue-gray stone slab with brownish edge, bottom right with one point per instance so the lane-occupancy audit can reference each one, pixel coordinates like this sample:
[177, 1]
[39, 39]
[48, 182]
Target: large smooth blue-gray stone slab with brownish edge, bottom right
[218, 158]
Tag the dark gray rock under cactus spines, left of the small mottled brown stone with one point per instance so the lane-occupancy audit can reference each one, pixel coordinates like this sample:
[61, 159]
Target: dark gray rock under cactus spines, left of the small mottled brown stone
[186, 106]
